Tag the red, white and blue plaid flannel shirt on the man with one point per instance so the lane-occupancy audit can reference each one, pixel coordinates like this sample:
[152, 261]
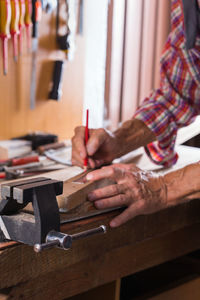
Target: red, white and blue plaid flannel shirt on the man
[177, 102]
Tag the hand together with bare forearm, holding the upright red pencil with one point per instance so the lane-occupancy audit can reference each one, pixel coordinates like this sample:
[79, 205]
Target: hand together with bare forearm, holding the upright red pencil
[103, 146]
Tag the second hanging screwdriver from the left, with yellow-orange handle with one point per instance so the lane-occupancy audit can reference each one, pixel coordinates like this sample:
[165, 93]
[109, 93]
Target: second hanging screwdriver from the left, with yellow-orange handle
[14, 26]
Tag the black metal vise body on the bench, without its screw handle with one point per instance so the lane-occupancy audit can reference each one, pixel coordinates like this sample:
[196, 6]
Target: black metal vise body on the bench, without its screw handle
[22, 226]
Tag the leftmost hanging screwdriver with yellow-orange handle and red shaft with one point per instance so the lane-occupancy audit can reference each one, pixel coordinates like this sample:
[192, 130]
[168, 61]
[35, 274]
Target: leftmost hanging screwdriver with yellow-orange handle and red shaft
[5, 19]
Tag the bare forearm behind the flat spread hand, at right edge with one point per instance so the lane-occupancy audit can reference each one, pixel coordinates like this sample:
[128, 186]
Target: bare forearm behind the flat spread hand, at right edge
[183, 184]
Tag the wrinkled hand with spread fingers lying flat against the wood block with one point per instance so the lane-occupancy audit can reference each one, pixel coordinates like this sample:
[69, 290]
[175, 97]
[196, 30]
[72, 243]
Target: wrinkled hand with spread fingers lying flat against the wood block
[141, 192]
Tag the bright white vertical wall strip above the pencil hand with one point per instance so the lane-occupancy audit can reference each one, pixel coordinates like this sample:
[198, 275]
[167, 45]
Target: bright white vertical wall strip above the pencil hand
[95, 32]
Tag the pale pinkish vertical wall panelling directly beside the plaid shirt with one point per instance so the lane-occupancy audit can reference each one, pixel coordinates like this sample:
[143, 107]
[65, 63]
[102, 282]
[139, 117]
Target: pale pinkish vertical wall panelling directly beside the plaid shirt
[146, 28]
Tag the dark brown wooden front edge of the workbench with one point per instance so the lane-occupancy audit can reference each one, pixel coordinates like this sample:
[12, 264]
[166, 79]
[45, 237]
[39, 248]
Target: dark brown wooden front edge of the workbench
[141, 243]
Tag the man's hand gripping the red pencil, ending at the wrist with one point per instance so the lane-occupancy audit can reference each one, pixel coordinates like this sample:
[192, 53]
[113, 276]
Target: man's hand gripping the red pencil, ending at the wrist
[102, 147]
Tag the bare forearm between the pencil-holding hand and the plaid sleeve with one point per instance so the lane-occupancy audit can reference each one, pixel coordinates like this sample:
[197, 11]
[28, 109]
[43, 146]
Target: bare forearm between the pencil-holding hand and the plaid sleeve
[132, 135]
